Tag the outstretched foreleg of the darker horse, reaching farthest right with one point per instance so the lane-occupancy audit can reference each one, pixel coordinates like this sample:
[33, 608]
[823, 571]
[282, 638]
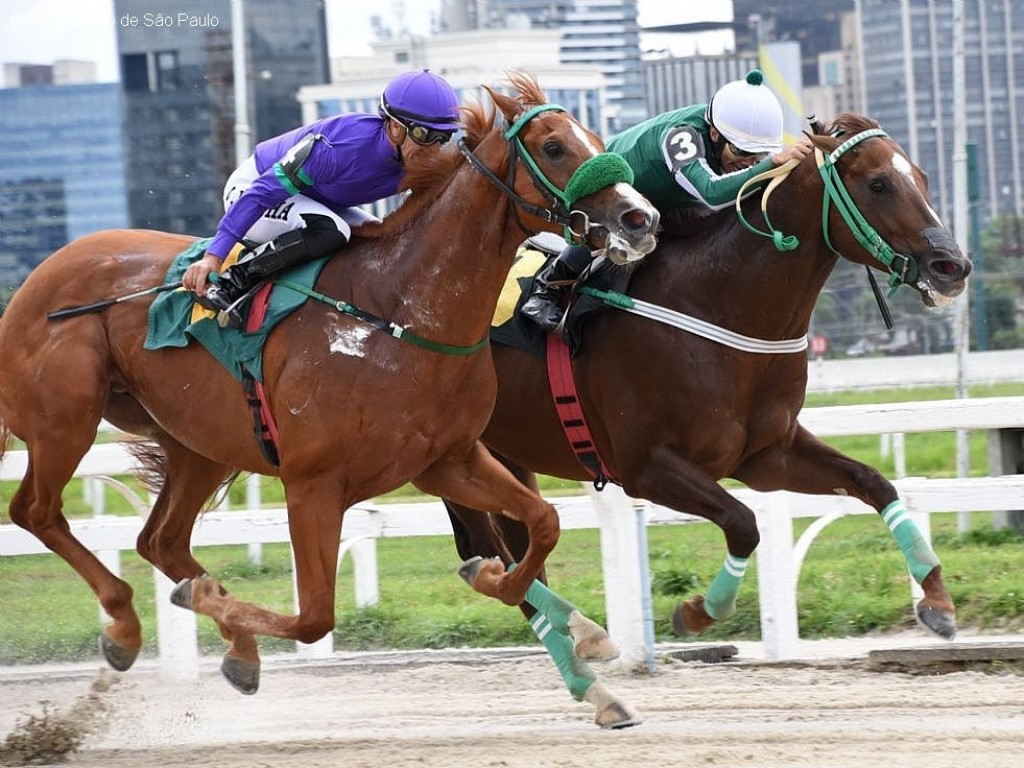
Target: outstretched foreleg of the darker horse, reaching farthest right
[810, 466]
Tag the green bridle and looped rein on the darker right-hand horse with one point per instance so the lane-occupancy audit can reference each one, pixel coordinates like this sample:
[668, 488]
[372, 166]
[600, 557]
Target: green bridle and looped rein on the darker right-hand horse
[903, 269]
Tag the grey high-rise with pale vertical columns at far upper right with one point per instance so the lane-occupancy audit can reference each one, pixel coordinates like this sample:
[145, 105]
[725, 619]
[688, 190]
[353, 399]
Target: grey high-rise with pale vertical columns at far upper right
[909, 81]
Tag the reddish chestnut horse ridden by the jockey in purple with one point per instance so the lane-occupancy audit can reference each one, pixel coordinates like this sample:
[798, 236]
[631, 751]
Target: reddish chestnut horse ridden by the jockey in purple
[359, 413]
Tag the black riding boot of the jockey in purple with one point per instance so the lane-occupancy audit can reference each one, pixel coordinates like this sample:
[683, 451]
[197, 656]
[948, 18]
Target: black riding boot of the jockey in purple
[235, 283]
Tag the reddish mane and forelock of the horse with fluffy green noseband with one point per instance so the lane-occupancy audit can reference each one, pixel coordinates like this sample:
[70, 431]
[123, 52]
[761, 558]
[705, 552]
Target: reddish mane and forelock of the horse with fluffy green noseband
[430, 178]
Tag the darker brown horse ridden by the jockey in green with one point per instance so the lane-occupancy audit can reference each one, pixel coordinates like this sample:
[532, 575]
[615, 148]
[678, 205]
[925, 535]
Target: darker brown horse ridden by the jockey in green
[673, 412]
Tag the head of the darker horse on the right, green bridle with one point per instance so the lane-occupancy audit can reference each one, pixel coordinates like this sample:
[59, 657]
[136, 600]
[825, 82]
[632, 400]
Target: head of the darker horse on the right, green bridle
[881, 216]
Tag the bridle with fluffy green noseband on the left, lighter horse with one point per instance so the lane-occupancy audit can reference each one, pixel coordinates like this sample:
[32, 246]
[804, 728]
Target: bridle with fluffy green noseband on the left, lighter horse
[593, 175]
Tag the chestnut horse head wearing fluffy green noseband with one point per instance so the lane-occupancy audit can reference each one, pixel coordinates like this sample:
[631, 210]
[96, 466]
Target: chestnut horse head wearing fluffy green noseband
[568, 180]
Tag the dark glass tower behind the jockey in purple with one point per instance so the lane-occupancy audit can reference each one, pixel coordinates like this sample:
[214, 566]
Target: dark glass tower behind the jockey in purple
[179, 101]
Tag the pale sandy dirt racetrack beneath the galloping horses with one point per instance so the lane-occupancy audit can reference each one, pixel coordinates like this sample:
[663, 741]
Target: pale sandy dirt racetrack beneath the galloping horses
[510, 710]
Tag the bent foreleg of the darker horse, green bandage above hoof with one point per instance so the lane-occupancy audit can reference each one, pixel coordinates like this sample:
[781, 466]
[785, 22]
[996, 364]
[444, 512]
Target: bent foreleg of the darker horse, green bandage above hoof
[673, 482]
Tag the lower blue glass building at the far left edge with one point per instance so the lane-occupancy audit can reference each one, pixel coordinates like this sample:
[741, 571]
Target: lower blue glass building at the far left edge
[62, 172]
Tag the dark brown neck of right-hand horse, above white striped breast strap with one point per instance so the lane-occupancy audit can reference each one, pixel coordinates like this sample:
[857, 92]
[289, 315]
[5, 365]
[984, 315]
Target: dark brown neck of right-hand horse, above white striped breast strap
[754, 288]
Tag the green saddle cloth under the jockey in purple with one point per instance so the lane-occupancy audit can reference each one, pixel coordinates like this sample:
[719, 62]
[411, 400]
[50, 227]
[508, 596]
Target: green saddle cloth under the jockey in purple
[170, 317]
